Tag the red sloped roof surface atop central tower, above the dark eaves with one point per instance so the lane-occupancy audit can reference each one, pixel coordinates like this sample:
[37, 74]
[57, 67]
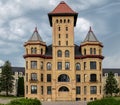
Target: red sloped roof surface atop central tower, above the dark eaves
[62, 8]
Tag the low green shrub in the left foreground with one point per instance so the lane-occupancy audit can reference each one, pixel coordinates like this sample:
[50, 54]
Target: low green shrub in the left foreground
[25, 102]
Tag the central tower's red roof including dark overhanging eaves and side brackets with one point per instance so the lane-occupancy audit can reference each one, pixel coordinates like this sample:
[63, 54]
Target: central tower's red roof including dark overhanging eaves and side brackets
[62, 10]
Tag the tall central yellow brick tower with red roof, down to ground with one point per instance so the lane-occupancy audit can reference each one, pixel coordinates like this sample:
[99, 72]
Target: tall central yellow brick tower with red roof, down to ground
[62, 20]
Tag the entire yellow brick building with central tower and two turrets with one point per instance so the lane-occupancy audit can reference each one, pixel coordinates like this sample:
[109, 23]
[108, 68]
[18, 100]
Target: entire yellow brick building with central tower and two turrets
[63, 70]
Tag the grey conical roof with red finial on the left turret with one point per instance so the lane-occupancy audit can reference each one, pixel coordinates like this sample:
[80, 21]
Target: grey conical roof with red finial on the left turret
[35, 36]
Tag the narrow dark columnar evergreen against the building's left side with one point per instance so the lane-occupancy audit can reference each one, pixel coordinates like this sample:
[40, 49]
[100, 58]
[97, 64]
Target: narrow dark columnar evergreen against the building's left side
[20, 89]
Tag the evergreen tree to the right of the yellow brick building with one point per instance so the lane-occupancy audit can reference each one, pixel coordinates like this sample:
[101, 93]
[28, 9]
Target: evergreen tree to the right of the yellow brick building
[111, 85]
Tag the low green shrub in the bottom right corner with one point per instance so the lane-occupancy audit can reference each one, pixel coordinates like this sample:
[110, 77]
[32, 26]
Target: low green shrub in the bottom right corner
[105, 101]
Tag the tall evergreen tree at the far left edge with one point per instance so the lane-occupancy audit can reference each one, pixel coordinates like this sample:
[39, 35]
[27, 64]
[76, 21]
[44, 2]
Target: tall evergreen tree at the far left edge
[6, 78]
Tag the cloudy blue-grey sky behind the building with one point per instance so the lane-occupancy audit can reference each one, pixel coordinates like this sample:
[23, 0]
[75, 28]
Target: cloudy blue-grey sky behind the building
[18, 18]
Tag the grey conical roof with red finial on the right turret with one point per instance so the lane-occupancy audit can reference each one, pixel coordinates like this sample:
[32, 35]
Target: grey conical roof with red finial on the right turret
[91, 37]
